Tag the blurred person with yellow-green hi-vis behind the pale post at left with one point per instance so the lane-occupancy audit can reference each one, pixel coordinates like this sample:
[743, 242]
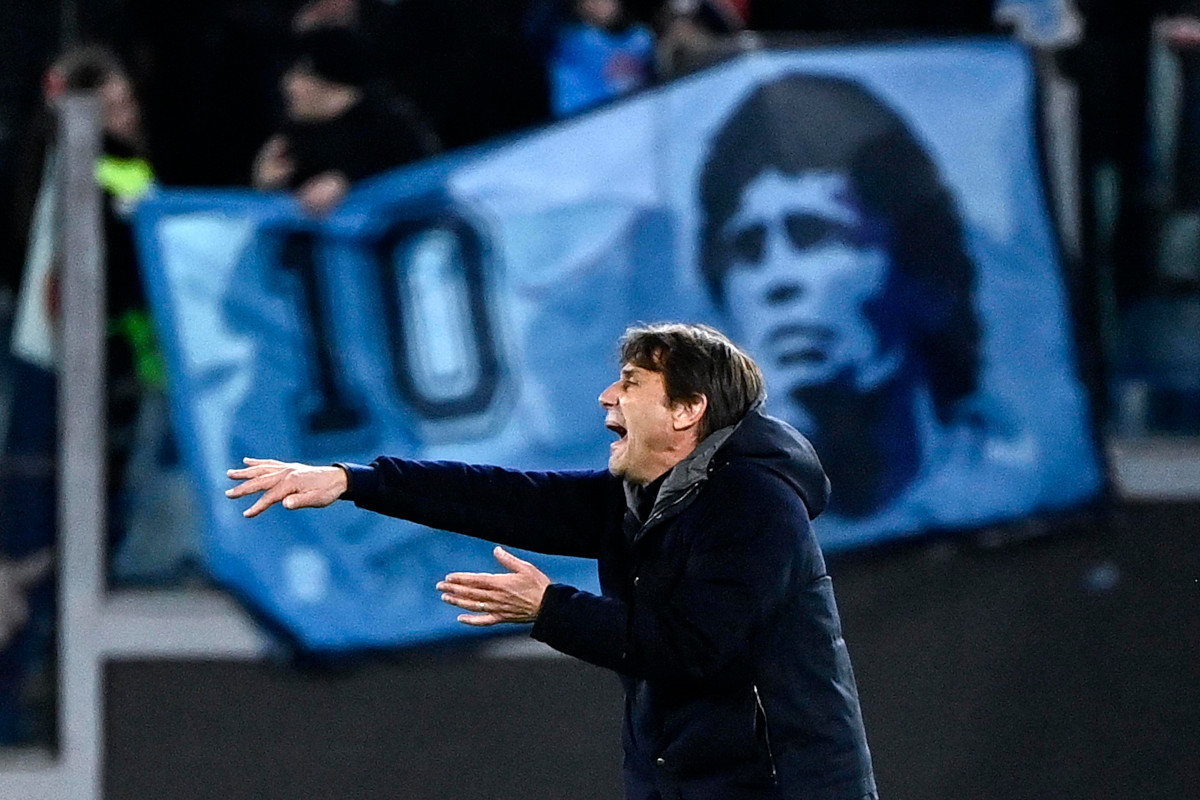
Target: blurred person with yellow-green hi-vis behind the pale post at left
[124, 175]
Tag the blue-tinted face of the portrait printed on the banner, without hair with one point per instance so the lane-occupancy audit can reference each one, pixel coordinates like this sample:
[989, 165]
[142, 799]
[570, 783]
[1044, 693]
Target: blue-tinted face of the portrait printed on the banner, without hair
[807, 262]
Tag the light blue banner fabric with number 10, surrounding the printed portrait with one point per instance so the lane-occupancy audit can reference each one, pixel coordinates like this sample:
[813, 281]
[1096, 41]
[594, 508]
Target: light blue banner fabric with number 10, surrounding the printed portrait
[469, 309]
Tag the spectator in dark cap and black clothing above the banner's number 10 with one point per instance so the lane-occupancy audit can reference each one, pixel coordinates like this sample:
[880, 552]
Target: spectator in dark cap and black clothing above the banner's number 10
[339, 129]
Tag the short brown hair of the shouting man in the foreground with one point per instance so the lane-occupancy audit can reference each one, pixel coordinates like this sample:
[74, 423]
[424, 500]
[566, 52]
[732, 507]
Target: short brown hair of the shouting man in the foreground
[698, 360]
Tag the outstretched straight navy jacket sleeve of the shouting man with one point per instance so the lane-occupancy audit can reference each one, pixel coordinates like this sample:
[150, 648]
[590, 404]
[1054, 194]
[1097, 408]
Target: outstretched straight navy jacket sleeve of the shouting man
[561, 514]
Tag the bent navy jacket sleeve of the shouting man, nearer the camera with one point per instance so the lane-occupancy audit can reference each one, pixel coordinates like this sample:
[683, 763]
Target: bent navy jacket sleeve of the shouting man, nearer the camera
[751, 536]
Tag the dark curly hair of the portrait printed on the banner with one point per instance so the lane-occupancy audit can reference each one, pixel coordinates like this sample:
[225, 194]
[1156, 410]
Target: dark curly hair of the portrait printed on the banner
[803, 123]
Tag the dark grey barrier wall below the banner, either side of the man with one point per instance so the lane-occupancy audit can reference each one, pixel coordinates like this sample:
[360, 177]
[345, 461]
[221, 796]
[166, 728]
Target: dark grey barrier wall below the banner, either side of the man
[1060, 667]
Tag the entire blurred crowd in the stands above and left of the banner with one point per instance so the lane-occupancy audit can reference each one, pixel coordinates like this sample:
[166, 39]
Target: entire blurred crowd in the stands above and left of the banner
[296, 95]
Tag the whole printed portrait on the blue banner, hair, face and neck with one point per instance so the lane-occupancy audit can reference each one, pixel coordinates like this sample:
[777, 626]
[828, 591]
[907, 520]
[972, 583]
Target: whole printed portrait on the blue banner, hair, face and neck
[832, 242]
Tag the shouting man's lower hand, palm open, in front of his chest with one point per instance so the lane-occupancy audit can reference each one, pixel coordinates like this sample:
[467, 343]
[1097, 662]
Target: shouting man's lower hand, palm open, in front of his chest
[514, 597]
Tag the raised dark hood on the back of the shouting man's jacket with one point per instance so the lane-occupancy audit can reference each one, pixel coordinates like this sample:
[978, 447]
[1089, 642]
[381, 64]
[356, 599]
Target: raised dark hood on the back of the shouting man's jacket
[782, 449]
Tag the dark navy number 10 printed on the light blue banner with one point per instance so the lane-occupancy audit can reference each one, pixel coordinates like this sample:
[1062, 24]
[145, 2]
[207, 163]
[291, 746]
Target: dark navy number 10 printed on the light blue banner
[442, 353]
